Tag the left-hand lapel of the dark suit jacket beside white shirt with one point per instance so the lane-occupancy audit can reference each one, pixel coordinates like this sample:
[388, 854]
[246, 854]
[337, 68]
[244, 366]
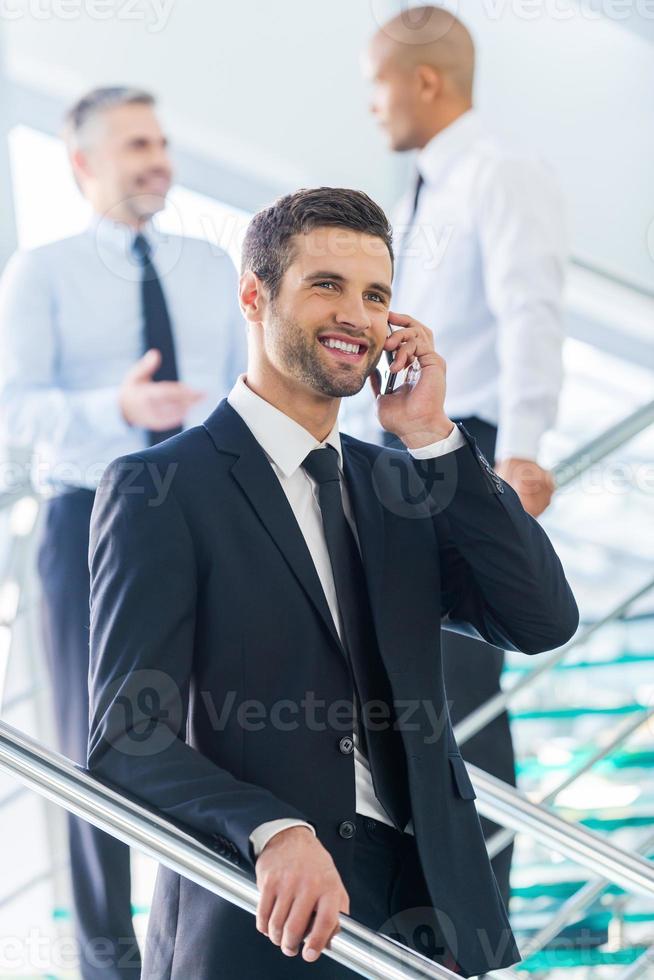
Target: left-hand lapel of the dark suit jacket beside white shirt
[258, 481]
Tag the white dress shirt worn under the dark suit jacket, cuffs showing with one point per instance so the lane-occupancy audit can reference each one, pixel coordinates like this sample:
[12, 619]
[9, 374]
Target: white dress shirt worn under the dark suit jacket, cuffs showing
[286, 445]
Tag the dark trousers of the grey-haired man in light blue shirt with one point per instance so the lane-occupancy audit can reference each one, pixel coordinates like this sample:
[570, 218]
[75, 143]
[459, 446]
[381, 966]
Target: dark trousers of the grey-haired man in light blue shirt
[100, 866]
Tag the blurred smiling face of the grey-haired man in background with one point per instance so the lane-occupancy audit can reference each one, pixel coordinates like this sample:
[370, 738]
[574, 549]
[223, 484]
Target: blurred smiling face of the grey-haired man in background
[125, 170]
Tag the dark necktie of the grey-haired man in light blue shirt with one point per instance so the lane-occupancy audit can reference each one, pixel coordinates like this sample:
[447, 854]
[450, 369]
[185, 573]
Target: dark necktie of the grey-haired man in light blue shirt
[157, 330]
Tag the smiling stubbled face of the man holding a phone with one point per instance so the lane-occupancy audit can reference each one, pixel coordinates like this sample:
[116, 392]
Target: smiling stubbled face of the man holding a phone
[325, 329]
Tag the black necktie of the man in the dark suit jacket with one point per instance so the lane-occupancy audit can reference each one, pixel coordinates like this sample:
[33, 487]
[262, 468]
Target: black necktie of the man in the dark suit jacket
[382, 745]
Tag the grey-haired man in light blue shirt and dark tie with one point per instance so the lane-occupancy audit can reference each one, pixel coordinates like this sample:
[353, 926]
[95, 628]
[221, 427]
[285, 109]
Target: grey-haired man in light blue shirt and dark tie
[112, 340]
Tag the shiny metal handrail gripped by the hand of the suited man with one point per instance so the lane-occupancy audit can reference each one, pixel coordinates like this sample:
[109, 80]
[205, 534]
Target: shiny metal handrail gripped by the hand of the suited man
[51, 775]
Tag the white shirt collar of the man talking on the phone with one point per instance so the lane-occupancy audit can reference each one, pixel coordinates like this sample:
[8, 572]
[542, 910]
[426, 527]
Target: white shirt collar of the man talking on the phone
[284, 440]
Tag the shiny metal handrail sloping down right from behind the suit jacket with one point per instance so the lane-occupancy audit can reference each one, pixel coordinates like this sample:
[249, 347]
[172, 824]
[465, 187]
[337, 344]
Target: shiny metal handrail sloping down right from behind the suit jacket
[510, 808]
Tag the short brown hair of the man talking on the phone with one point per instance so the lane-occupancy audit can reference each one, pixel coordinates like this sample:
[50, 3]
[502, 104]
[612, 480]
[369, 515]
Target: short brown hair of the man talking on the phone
[267, 248]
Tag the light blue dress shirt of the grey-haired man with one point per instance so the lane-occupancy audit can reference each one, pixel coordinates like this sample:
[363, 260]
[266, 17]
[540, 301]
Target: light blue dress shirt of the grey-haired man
[71, 326]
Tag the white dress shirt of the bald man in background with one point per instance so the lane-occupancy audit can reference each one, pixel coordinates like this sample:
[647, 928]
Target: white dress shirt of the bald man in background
[482, 266]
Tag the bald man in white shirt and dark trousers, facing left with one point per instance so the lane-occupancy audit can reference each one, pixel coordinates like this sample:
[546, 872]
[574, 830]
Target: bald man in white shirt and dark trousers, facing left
[480, 246]
